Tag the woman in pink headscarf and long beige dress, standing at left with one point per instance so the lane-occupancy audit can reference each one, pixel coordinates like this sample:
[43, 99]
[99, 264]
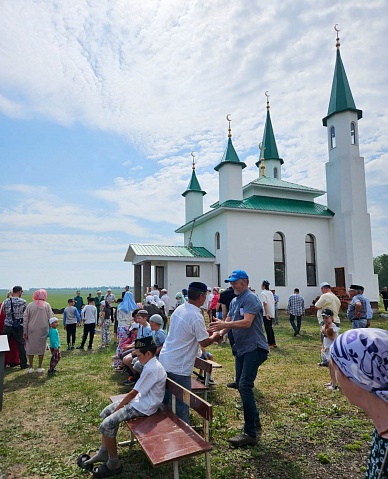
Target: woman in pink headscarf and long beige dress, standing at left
[36, 327]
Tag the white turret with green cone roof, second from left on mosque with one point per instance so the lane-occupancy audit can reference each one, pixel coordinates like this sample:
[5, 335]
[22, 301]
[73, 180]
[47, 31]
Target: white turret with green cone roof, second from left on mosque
[230, 172]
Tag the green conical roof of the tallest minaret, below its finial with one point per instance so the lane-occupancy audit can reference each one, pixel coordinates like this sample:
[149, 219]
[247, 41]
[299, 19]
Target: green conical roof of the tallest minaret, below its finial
[341, 98]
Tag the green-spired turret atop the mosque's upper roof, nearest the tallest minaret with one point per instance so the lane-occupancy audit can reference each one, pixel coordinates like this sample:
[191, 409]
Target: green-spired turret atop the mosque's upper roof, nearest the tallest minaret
[269, 151]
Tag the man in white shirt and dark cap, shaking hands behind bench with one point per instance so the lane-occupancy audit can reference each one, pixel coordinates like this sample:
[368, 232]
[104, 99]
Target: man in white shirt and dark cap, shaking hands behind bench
[187, 331]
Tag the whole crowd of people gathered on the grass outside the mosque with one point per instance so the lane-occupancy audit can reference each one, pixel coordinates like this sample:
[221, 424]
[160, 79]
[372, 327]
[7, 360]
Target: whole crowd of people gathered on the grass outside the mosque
[357, 359]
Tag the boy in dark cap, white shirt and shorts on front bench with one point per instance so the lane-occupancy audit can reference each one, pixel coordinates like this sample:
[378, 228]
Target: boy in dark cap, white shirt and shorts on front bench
[144, 400]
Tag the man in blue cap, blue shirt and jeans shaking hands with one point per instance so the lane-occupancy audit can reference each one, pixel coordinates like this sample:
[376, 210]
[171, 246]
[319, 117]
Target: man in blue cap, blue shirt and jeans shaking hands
[245, 319]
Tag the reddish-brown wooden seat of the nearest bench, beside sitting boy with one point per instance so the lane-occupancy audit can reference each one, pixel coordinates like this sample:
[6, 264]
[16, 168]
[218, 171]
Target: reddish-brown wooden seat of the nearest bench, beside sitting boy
[165, 438]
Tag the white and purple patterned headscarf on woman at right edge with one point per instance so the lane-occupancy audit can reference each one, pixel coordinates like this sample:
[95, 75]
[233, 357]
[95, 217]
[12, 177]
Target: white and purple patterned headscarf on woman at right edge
[362, 356]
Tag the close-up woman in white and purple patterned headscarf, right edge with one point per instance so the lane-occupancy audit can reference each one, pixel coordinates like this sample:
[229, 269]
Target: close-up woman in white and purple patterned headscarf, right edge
[359, 358]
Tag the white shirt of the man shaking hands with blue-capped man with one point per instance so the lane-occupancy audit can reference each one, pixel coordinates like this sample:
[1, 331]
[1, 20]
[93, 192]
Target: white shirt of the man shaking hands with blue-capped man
[187, 329]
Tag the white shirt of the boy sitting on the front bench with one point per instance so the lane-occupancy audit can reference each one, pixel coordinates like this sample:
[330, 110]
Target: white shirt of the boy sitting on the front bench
[150, 387]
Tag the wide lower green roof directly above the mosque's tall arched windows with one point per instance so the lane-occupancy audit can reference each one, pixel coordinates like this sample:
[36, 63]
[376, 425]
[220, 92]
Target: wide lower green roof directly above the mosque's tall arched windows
[280, 205]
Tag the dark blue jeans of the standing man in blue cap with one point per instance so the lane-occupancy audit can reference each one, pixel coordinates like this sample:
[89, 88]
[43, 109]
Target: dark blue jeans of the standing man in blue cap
[246, 372]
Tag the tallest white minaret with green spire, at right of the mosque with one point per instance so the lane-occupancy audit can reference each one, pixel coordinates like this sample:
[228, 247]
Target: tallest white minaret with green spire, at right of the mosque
[346, 190]
